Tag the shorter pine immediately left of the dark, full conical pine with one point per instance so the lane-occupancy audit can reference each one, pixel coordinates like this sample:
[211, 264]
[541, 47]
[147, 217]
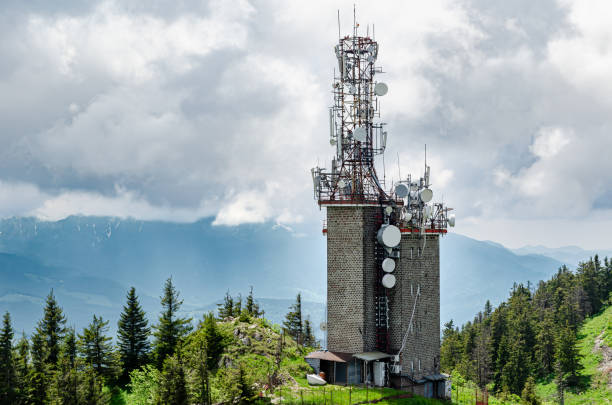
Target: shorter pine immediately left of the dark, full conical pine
[96, 348]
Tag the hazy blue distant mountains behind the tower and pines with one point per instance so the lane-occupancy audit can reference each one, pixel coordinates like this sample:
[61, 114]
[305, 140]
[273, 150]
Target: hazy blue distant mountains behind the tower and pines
[90, 262]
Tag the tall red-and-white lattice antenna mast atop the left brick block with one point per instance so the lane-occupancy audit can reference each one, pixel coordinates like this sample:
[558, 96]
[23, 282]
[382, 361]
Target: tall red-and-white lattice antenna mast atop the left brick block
[355, 128]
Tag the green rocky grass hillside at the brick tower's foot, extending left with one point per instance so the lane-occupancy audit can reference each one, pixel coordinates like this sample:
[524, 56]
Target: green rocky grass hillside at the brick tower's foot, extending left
[273, 366]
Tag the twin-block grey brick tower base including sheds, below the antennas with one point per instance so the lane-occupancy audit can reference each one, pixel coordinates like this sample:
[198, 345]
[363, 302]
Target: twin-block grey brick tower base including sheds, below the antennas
[408, 357]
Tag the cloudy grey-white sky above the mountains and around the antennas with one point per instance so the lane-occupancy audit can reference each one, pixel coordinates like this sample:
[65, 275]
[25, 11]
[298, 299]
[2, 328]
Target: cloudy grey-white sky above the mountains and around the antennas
[179, 110]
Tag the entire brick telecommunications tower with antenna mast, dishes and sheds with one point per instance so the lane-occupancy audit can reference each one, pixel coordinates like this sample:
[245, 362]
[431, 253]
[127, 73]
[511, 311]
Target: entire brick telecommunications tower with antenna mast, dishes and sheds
[383, 259]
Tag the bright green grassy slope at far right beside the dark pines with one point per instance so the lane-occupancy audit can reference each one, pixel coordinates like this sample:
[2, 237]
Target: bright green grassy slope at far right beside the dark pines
[594, 389]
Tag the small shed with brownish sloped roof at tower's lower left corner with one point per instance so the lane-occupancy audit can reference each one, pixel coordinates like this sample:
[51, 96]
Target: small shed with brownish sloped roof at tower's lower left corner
[339, 368]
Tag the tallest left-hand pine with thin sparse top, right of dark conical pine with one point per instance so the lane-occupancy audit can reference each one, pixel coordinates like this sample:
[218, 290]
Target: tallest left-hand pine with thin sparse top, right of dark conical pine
[171, 329]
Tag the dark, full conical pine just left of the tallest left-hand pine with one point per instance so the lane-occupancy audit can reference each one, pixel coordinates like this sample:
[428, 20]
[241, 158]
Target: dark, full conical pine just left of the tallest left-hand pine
[132, 335]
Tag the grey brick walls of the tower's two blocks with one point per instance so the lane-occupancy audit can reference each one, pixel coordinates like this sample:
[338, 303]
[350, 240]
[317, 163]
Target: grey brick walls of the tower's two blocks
[351, 274]
